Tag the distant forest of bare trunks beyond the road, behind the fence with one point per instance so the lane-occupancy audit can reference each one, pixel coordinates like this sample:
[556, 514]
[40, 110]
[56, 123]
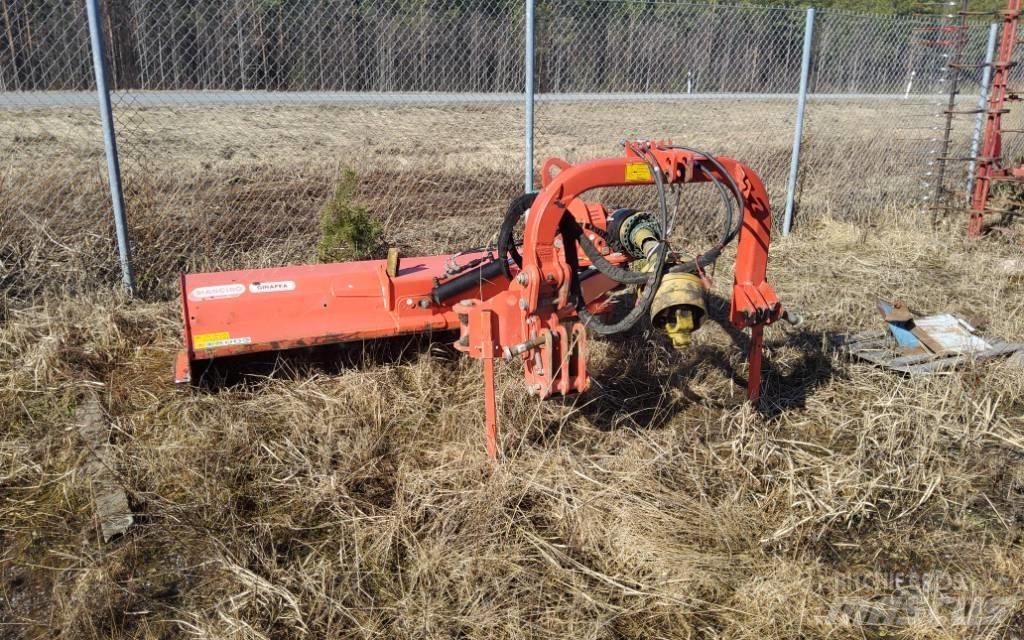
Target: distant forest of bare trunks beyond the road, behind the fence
[472, 46]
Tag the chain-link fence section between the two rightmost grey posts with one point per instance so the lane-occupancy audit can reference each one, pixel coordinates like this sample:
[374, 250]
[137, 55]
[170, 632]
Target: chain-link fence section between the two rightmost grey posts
[875, 115]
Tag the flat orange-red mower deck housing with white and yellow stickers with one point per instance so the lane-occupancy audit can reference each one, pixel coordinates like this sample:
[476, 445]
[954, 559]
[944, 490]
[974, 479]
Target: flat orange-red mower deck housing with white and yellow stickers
[253, 311]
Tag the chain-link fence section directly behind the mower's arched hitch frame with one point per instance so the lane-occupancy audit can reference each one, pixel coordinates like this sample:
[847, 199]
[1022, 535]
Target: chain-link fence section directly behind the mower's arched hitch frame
[717, 78]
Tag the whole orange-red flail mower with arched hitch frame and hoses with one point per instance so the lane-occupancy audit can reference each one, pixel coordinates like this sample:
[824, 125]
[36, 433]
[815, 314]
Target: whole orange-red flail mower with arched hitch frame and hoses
[533, 301]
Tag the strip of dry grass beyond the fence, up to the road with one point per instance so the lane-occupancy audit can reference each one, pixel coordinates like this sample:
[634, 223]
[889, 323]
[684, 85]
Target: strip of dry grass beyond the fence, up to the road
[220, 188]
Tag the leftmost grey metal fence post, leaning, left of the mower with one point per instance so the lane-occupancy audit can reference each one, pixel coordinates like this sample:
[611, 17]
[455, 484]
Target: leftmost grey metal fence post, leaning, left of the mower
[110, 142]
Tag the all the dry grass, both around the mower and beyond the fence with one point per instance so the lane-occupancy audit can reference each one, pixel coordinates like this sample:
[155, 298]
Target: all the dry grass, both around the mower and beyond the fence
[350, 497]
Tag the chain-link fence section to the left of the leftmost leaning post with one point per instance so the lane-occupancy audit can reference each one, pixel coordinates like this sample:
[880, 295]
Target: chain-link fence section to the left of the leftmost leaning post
[56, 226]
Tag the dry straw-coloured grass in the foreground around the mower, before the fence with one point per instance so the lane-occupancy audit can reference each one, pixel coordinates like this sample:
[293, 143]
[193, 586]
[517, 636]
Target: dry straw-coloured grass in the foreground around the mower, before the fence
[353, 499]
